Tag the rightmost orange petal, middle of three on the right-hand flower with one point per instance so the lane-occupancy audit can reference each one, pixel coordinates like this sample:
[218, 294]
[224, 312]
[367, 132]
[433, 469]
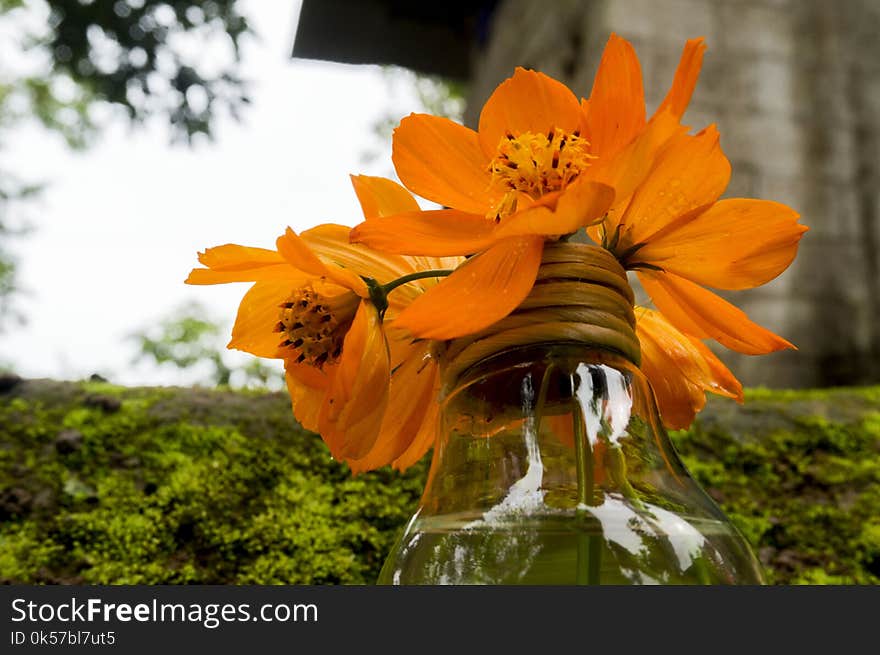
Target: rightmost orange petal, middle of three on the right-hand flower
[735, 244]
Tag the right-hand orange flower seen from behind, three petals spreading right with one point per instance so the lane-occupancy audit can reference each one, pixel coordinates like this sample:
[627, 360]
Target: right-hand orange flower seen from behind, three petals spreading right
[678, 236]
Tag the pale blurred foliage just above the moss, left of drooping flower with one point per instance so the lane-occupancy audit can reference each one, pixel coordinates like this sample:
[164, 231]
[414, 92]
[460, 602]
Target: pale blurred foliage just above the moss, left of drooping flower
[190, 340]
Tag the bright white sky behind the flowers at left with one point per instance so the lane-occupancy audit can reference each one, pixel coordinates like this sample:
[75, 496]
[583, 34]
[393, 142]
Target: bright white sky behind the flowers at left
[119, 225]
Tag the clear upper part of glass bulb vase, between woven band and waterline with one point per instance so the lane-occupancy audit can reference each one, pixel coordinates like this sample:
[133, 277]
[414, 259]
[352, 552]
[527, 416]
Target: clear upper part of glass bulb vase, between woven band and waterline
[547, 428]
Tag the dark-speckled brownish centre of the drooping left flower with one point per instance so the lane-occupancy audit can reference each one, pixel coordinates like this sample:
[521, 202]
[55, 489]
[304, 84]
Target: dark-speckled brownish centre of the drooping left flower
[314, 326]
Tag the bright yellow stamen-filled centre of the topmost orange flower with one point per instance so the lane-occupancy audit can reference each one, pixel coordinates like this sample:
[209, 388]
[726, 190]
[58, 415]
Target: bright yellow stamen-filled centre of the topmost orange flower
[536, 164]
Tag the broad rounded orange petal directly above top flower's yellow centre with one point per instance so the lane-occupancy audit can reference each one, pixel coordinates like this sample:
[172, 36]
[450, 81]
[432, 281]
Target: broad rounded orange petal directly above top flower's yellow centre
[527, 102]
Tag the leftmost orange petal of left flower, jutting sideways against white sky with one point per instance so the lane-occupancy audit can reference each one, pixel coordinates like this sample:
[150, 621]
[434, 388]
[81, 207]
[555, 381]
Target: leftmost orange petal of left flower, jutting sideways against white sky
[234, 263]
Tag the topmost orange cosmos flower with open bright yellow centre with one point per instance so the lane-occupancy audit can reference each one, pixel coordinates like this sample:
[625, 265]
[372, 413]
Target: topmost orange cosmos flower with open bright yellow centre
[541, 165]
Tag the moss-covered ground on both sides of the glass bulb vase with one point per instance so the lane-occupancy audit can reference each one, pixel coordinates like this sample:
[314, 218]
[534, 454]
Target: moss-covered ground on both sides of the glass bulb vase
[111, 485]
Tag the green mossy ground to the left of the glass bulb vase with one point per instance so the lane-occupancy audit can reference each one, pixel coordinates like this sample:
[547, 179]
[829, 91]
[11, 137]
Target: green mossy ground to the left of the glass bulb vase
[175, 486]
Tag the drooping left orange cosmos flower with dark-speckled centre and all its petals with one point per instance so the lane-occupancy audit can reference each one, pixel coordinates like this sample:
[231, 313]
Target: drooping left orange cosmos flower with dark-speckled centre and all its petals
[311, 306]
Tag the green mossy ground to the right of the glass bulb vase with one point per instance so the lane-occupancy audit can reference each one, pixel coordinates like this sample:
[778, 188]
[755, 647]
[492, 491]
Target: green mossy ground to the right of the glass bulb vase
[806, 491]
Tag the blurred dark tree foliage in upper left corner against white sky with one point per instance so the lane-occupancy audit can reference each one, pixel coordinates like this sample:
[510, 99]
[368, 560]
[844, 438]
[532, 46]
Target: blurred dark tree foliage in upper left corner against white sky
[65, 60]
